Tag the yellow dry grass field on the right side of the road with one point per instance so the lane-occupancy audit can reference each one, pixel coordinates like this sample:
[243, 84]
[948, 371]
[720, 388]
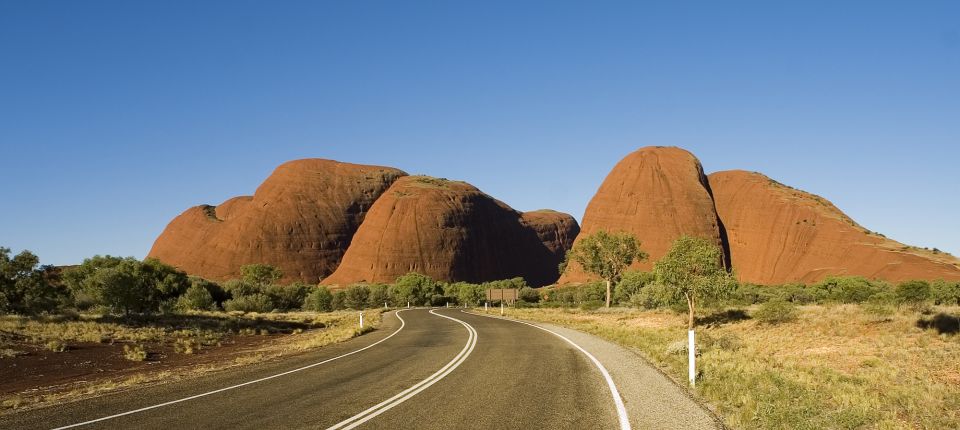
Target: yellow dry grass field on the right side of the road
[835, 367]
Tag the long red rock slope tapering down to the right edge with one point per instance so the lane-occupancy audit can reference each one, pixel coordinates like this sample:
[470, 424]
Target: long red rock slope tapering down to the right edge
[778, 234]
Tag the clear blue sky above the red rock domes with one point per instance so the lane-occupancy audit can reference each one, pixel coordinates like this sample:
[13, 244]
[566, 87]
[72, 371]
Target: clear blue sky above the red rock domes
[117, 116]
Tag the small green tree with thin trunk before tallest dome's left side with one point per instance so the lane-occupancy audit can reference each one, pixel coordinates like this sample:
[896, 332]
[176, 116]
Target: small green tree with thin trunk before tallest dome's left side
[606, 255]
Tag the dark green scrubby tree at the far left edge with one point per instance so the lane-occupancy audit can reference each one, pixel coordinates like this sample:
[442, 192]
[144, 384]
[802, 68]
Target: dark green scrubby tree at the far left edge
[26, 287]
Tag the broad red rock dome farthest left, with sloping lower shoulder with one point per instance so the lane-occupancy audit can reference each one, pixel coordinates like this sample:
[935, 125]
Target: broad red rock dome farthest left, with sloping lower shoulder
[301, 219]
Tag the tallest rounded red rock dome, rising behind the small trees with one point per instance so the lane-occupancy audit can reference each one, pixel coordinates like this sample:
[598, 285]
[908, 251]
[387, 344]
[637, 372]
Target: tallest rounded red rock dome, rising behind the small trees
[657, 194]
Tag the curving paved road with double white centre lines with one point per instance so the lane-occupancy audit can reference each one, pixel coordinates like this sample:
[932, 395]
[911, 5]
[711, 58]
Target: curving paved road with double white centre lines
[422, 370]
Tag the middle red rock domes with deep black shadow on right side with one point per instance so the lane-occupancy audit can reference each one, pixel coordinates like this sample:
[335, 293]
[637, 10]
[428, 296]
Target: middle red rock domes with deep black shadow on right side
[451, 231]
